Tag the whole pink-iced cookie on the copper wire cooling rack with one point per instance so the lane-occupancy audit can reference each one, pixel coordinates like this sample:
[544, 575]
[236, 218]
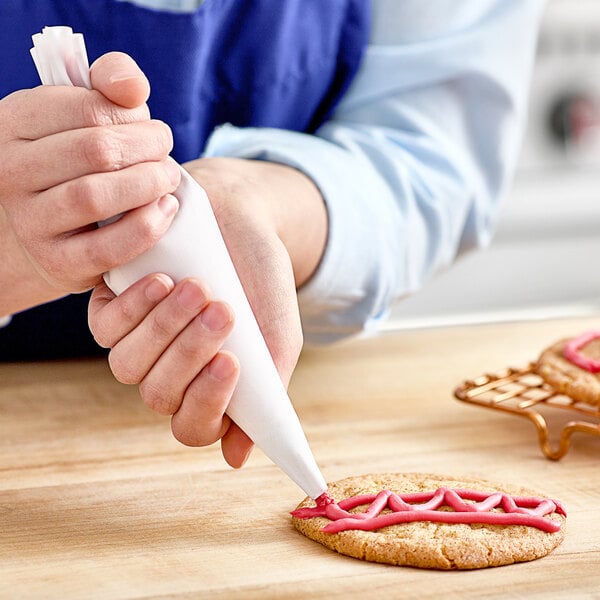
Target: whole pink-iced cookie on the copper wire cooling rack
[572, 367]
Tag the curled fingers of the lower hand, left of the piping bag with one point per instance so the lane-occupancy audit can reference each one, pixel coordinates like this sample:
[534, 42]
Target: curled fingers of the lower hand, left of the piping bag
[168, 339]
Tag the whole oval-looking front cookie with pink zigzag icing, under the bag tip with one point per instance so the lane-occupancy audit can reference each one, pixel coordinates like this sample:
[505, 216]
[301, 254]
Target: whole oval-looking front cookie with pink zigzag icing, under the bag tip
[432, 521]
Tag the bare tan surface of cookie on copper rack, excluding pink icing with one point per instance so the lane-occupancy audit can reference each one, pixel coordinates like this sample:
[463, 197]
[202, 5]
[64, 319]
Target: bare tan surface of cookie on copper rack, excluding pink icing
[568, 378]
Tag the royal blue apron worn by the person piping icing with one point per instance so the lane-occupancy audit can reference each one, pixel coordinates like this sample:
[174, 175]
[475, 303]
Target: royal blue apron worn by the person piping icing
[261, 63]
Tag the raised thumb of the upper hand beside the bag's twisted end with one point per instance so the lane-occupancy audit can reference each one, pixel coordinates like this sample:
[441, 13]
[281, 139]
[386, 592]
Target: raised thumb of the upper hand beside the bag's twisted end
[117, 77]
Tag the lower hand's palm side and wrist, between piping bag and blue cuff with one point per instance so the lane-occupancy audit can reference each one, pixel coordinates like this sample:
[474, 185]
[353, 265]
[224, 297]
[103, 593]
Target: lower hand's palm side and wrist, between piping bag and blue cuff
[274, 223]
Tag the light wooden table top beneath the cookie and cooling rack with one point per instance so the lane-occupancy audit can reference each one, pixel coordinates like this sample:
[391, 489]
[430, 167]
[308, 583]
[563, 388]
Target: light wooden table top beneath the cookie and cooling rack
[98, 501]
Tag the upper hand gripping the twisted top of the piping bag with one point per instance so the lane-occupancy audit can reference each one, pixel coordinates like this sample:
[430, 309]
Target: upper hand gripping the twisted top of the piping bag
[70, 157]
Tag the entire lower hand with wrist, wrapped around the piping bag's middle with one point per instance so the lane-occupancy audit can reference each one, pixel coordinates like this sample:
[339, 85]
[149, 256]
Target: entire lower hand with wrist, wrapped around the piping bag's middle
[168, 338]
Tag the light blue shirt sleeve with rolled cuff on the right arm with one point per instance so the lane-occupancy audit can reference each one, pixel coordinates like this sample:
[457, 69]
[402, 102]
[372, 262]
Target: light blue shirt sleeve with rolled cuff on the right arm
[416, 158]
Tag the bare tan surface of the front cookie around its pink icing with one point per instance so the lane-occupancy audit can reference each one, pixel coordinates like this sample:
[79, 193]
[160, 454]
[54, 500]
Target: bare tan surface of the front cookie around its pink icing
[429, 544]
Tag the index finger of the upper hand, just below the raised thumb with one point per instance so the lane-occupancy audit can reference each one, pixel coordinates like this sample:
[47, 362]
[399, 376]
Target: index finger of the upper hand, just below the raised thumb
[48, 109]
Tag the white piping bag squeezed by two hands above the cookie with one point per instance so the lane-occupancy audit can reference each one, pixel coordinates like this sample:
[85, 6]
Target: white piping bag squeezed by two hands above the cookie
[260, 405]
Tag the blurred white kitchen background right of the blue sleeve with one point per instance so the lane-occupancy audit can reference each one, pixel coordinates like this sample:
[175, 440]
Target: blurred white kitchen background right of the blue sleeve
[543, 261]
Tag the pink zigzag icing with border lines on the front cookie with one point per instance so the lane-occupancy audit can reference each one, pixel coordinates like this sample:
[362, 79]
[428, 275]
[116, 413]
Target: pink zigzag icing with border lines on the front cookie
[422, 506]
